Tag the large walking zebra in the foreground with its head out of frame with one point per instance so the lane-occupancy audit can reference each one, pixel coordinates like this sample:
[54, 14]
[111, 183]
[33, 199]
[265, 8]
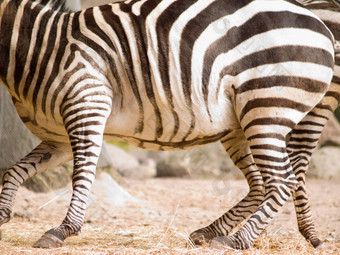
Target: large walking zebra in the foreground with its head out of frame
[167, 75]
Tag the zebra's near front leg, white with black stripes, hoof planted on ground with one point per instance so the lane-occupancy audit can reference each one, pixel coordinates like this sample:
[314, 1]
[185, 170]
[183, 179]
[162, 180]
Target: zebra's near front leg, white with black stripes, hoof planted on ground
[85, 129]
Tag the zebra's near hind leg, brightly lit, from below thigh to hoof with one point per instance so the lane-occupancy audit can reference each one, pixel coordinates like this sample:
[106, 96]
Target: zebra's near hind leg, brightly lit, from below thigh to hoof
[279, 182]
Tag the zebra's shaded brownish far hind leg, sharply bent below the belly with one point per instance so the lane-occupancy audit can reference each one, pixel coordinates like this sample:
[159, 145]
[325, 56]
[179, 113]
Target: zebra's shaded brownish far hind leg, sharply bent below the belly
[239, 151]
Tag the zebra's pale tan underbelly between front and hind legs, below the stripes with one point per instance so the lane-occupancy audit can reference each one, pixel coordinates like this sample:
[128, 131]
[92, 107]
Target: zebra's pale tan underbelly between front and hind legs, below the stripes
[203, 130]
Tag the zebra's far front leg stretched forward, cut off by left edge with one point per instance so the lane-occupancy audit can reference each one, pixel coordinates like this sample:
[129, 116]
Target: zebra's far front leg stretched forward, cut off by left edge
[44, 156]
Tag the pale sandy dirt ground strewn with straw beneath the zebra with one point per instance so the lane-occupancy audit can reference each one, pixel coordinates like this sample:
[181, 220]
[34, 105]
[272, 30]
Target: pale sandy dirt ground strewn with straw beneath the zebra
[162, 215]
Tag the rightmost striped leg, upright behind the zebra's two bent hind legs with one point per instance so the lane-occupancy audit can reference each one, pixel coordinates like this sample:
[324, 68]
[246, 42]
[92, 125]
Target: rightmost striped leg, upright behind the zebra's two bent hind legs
[301, 144]
